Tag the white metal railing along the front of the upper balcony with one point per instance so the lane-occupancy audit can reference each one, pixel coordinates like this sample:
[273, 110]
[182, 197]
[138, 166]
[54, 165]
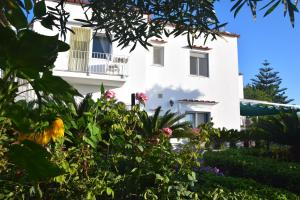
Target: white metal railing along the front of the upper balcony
[97, 63]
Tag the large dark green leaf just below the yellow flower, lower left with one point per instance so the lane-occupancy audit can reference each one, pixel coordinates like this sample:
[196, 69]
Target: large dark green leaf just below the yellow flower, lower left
[34, 159]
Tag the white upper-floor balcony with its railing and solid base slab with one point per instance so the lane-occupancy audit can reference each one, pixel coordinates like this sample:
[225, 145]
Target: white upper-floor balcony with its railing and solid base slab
[94, 68]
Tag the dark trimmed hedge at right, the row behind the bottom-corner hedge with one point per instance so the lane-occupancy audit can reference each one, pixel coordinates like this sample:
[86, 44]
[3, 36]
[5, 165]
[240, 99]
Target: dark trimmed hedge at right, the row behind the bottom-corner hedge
[265, 170]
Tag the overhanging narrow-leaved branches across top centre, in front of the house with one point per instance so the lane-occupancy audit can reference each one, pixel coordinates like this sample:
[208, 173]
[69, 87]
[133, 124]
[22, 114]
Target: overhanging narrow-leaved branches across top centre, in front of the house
[125, 20]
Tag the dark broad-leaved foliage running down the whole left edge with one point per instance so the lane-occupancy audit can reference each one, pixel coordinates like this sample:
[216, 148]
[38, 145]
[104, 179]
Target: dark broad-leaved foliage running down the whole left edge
[27, 58]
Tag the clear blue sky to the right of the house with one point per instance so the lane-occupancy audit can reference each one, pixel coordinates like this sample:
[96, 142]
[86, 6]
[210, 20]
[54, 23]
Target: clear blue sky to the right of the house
[272, 38]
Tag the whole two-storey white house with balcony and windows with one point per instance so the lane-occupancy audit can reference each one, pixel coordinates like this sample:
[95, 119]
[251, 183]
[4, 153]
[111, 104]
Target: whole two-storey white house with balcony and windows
[202, 82]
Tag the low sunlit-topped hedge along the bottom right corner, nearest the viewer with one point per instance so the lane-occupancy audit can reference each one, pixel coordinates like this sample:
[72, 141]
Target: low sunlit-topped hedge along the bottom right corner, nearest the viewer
[223, 187]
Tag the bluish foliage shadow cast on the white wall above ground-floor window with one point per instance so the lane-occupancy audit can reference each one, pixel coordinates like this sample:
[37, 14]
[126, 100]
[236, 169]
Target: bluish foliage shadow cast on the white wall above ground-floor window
[161, 96]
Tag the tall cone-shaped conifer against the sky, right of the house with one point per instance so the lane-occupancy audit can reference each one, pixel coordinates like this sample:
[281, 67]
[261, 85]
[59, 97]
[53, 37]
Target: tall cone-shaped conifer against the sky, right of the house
[267, 84]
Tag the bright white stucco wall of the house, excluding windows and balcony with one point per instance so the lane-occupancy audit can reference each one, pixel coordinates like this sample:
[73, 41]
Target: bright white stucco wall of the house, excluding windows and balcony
[173, 80]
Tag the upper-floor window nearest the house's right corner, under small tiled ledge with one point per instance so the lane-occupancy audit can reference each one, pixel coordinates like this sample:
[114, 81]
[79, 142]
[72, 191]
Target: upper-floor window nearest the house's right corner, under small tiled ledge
[199, 64]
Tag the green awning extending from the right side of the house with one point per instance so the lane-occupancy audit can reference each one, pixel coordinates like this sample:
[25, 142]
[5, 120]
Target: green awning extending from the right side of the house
[248, 109]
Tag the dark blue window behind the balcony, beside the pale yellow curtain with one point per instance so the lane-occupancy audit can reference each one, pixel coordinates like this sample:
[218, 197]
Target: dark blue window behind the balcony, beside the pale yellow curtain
[101, 45]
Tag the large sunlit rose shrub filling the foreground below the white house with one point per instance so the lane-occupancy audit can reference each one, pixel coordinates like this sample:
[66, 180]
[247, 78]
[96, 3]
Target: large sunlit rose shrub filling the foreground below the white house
[104, 155]
